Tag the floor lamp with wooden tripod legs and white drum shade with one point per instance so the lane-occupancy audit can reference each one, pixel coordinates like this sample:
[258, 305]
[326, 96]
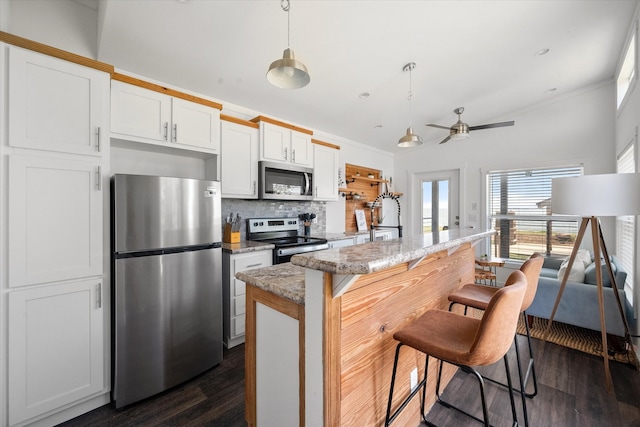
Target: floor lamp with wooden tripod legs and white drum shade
[592, 197]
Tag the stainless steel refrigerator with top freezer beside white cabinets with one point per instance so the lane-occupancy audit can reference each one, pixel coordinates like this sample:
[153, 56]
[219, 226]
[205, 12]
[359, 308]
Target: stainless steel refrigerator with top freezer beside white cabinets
[167, 283]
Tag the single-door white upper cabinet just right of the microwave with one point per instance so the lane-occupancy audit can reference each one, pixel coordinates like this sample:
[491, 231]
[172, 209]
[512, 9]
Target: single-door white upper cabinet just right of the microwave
[325, 173]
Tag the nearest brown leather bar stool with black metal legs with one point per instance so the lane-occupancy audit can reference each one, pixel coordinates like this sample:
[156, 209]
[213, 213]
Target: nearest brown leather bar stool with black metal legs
[464, 342]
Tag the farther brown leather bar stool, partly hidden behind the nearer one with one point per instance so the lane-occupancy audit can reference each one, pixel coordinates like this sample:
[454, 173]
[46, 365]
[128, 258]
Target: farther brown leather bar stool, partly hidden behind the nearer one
[478, 296]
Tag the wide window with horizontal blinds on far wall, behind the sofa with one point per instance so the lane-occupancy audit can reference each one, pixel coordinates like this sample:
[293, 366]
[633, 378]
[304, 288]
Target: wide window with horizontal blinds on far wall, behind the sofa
[519, 209]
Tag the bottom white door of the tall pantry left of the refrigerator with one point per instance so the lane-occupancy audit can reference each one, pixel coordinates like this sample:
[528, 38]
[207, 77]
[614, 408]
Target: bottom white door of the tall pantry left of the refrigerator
[56, 347]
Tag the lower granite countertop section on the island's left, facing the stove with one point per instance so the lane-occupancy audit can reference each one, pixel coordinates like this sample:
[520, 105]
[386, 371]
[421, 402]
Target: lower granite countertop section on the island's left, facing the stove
[284, 280]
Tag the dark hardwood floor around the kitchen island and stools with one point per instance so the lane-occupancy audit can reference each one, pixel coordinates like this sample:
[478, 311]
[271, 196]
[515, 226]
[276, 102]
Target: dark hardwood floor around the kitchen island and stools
[571, 392]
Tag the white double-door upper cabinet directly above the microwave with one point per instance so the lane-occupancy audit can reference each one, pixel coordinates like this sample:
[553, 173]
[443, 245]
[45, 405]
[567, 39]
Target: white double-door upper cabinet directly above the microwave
[285, 145]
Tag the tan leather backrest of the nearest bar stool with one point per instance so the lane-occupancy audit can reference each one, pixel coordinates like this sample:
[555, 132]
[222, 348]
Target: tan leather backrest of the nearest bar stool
[498, 324]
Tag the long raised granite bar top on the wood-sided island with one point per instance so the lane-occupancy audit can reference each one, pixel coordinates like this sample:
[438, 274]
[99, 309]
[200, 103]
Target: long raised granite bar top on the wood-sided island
[380, 255]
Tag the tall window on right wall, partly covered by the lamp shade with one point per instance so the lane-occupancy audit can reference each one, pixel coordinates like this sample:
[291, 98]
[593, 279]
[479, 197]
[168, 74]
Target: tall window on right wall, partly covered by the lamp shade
[626, 227]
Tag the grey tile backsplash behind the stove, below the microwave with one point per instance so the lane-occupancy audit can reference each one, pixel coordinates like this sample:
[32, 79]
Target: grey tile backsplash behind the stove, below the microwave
[275, 208]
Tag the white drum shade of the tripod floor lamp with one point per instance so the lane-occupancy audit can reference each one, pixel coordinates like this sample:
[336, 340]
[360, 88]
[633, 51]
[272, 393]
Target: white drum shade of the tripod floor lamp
[597, 195]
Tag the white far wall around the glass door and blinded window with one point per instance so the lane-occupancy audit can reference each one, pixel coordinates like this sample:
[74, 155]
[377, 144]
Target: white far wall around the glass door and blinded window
[575, 128]
